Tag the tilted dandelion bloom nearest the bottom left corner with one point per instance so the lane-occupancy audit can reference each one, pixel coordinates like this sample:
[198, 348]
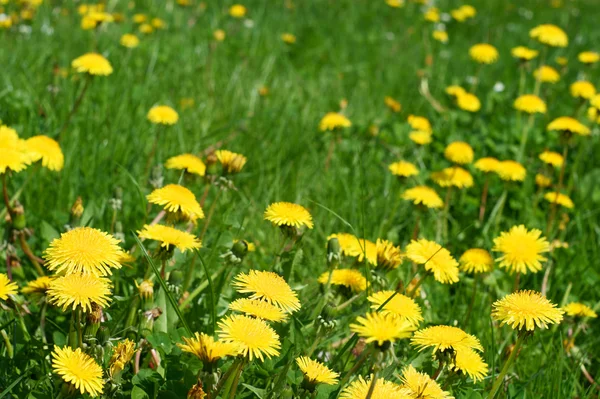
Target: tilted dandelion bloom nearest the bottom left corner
[78, 369]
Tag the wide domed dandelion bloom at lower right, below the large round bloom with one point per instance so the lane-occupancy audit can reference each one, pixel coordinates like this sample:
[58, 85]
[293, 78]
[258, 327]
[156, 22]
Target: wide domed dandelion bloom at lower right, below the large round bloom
[526, 309]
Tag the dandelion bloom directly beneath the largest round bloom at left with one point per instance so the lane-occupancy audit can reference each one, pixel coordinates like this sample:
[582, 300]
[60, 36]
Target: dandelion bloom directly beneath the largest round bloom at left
[75, 290]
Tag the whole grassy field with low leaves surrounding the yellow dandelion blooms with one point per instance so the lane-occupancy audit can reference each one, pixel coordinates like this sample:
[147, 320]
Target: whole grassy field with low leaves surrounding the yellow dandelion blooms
[254, 94]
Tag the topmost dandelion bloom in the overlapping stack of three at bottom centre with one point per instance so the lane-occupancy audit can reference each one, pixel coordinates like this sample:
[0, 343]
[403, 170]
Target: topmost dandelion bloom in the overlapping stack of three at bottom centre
[269, 287]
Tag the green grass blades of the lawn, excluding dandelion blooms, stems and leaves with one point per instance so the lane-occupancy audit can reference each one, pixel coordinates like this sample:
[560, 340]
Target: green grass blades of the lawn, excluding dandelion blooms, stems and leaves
[349, 49]
